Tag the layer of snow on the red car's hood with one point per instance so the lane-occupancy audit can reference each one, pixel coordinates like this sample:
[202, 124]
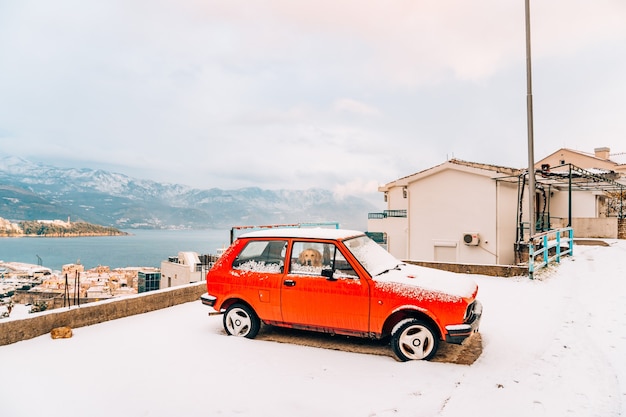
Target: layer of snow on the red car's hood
[450, 283]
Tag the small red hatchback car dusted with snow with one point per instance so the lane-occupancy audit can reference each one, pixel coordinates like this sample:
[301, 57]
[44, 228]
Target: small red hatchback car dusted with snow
[341, 282]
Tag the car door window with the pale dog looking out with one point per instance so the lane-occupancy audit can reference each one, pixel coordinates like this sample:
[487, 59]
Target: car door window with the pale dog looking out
[310, 258]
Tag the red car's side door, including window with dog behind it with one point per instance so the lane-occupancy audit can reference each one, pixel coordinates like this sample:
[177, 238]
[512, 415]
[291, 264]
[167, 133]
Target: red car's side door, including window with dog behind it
[333, 301]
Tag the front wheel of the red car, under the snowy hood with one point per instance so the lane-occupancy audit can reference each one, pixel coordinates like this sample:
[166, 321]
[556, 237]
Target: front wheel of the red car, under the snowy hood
[412, 339]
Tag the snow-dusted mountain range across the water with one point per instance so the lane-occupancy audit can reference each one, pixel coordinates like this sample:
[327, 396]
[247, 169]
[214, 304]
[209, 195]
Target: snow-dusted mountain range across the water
[34, 191]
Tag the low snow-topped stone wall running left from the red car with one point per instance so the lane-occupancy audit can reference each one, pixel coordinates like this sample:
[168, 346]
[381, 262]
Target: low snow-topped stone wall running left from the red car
[12, 331]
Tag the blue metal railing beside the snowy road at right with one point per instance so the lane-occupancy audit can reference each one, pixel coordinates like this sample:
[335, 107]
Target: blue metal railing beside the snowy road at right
[542, 244]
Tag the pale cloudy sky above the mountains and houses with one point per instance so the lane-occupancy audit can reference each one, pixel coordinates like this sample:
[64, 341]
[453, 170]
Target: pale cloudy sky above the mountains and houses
[343, 94]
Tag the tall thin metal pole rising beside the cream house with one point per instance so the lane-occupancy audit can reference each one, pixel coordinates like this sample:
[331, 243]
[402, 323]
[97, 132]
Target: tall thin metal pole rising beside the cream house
[529, 116]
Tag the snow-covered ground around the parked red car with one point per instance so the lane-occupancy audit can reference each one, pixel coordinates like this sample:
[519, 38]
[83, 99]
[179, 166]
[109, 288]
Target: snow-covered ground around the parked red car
[555, 346]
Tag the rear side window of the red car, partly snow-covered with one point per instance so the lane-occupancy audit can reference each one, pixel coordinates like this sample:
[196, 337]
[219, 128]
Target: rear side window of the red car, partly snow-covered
[262, 256]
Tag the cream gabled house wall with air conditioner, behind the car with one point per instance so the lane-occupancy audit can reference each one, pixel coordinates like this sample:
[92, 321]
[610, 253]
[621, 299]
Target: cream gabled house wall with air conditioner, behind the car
[444, 203]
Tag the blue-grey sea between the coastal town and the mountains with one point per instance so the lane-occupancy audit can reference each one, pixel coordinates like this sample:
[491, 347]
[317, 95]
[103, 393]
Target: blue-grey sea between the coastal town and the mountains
[141, 248]
